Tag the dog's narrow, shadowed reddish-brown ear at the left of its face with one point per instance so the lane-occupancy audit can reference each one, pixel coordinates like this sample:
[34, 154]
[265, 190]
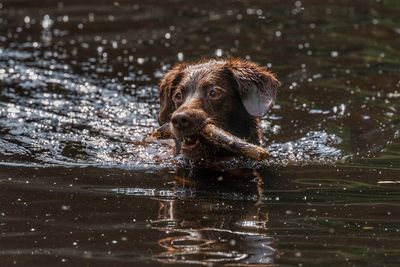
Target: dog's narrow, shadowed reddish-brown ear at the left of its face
[168, 83]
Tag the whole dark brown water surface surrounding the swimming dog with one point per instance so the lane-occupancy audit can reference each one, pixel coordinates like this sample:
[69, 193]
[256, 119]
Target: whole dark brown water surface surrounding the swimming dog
[78, 93]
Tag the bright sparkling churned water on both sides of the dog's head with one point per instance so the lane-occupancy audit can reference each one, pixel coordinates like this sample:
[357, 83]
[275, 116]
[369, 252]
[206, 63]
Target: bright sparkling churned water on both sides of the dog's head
[57, 117]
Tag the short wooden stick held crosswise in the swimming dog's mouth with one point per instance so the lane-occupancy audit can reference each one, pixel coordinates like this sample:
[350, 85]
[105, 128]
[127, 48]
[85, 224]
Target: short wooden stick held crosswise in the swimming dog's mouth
[221, 138]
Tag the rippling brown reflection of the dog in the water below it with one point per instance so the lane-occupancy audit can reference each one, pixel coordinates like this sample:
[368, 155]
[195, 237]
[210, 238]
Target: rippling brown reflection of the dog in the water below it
[217, 224]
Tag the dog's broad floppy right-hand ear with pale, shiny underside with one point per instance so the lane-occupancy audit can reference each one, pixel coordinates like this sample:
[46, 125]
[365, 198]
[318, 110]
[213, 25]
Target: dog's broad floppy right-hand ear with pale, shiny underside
[256, 85]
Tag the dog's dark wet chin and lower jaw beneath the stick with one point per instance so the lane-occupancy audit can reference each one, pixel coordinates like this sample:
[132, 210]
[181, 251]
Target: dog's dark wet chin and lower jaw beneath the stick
[194, 147]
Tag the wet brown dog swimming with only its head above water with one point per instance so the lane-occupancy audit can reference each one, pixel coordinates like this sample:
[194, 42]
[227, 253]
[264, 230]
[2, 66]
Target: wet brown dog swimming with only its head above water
[230, 93]
